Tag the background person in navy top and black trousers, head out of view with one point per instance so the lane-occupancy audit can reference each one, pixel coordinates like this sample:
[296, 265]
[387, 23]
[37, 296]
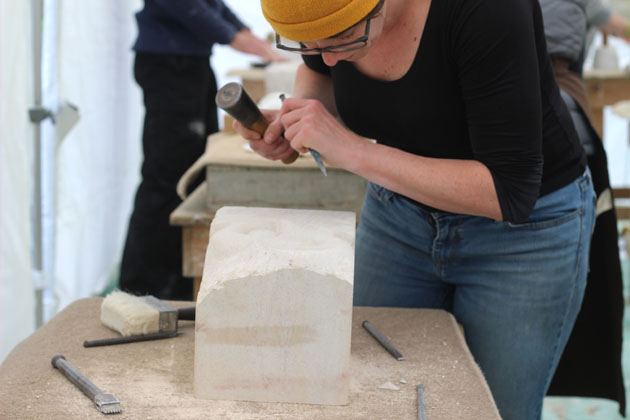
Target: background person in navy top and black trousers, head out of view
[172, 66]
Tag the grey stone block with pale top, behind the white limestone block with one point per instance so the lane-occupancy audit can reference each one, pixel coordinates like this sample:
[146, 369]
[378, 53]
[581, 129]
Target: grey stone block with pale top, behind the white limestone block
[236, 176]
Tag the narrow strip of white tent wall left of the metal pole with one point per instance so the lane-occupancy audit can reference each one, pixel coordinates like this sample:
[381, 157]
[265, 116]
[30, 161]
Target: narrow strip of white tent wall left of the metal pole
[17, 296]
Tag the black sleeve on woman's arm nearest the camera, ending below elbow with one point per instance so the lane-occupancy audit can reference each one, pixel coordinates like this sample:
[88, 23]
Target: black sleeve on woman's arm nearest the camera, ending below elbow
[496, 54]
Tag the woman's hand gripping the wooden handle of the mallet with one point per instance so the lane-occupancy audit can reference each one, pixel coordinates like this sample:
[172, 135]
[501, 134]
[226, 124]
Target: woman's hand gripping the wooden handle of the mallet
[272, 145]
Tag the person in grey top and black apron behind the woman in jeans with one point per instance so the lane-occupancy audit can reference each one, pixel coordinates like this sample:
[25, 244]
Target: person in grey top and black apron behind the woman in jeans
[597, 335]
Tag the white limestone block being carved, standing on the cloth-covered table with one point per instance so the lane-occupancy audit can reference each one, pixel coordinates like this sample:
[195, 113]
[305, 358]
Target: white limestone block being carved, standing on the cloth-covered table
[274, 310]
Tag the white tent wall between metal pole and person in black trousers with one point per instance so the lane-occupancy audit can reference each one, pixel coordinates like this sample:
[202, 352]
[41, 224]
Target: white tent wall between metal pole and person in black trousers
[98, 162]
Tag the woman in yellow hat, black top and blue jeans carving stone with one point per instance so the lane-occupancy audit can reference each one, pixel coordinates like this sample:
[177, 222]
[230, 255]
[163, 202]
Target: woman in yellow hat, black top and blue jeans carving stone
[479, 201]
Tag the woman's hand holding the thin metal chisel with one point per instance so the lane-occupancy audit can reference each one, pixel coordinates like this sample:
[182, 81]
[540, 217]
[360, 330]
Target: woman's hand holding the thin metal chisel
[309, 125]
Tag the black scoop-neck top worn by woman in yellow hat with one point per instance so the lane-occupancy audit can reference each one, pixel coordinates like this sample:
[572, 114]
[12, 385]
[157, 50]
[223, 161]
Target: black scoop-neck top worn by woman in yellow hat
[481, 87]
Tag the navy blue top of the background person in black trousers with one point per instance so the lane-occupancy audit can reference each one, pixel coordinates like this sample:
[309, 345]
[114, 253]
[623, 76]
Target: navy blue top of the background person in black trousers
[185, 27]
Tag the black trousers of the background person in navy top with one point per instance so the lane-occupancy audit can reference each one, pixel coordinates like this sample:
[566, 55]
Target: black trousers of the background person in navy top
[179, 94]
